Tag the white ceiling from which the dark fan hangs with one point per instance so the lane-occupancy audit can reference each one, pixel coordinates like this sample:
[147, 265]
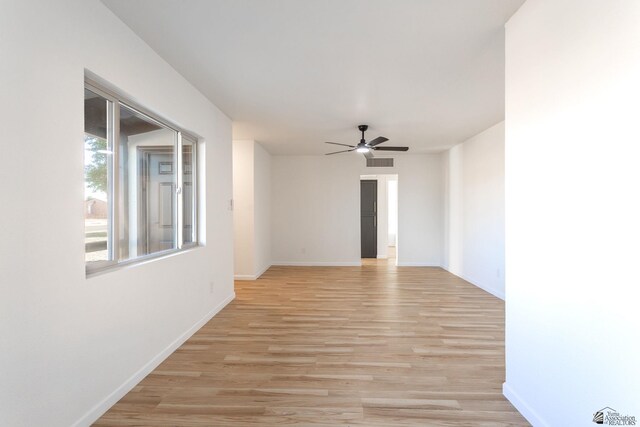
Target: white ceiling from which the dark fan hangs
[294, 73]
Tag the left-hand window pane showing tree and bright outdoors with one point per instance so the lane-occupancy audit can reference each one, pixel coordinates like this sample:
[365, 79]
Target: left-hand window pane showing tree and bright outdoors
[97, 168]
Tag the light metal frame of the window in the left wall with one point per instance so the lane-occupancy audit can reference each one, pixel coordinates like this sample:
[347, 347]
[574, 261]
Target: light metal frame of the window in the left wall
[114, 101]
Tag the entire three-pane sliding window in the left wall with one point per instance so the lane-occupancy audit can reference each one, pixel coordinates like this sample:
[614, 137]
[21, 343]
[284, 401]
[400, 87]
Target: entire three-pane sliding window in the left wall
[140, 183]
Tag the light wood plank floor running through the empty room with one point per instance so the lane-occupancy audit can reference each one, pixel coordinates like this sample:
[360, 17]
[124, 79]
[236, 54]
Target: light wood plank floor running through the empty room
[363, 346]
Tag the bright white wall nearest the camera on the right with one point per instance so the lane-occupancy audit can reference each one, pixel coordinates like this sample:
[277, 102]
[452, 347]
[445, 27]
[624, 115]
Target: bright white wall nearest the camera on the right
[572, 180]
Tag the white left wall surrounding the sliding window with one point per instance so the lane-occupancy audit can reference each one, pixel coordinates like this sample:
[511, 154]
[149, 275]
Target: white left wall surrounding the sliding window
[71, 346]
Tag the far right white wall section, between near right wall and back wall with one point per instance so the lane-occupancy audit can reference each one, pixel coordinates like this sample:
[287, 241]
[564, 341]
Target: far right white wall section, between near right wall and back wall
[474, 195]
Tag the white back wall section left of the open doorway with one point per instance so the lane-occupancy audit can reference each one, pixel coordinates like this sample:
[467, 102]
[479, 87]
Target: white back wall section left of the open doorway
[315, 210]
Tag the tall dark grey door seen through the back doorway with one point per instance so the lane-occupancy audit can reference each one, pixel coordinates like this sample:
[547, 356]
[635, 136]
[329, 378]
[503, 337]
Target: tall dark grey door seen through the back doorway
[368, 219]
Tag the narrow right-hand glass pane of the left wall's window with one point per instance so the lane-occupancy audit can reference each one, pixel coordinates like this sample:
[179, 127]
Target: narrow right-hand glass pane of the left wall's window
[188, 189]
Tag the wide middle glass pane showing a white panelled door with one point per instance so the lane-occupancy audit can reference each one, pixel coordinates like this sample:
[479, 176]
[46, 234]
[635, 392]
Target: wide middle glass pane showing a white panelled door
[147, 173]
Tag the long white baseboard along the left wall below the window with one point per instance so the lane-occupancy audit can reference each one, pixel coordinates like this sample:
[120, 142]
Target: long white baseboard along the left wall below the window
[98, 410]
